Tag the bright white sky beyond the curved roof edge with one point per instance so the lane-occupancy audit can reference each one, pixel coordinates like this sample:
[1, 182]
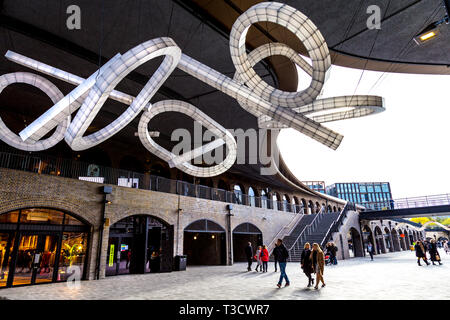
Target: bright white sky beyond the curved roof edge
[407, 145]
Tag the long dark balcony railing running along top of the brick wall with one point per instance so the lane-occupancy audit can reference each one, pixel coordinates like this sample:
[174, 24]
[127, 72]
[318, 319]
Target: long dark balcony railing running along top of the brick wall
[105, 175]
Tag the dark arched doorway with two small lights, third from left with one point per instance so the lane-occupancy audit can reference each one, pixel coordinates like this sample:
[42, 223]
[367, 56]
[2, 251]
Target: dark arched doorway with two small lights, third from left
[204, 243]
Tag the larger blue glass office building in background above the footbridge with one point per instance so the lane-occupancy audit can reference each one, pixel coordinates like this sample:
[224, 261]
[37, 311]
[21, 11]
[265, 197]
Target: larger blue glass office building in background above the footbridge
[374, 195]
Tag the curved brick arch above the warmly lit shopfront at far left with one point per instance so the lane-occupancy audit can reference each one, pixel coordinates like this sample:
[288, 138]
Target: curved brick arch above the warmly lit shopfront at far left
[74, 209]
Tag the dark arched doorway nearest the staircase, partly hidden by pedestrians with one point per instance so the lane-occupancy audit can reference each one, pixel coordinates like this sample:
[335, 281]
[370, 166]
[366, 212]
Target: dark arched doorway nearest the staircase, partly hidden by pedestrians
[242, 234]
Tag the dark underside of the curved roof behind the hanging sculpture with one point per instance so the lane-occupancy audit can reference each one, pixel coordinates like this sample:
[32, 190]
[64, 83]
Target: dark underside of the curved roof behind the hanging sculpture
[38, 29]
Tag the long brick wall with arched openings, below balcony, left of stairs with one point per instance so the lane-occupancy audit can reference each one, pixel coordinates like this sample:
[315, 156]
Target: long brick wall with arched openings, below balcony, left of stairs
[84, 199]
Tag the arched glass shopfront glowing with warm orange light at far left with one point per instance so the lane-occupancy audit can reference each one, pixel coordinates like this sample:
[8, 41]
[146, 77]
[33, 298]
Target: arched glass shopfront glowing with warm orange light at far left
[41, 245]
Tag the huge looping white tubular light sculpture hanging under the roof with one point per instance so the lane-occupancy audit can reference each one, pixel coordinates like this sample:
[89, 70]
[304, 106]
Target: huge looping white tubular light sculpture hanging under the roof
[274, 108]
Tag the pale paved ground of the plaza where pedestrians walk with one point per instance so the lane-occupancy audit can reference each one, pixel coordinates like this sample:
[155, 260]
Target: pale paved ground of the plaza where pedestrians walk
[390, 276]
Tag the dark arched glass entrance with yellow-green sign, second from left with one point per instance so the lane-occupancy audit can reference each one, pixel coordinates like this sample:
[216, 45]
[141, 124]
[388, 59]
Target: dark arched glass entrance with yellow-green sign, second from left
[139, 244]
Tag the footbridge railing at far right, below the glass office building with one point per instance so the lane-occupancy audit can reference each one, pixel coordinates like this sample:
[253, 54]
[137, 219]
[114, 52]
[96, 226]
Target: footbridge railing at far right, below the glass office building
[408, 203]
